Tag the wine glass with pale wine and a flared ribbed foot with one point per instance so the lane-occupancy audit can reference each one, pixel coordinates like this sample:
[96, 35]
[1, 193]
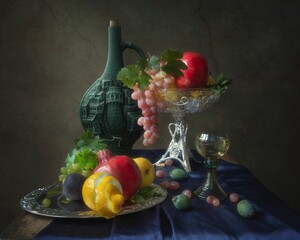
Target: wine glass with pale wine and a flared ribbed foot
[211, 146]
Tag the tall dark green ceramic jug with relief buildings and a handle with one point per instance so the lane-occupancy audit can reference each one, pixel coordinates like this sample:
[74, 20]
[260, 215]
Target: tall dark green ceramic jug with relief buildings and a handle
[107, 109]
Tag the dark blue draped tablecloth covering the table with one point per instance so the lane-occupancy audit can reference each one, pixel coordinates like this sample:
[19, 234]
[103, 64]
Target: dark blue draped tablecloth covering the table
[274, 219]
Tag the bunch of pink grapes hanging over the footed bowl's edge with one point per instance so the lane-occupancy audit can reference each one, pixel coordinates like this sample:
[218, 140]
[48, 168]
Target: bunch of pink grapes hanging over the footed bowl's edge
[147, 102]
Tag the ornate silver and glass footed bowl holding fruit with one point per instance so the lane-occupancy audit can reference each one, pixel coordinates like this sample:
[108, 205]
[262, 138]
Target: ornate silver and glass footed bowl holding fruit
[180, 103]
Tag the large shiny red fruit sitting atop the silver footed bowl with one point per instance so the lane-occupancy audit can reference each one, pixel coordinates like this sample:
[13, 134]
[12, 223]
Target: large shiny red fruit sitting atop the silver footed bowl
[196, 74]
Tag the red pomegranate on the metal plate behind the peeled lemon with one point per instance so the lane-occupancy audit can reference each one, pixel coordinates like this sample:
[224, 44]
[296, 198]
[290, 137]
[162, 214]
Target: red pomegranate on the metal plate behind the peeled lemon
[121, 167]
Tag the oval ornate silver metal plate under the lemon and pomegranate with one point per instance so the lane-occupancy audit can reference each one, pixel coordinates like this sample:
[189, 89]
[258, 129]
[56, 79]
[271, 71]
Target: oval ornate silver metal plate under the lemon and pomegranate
[63, 208]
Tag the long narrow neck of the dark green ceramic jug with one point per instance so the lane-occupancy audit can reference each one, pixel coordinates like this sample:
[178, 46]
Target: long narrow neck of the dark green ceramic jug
[114, 55]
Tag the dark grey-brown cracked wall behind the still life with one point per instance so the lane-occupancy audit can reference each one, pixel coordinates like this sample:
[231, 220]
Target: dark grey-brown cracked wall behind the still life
[51, 51]
